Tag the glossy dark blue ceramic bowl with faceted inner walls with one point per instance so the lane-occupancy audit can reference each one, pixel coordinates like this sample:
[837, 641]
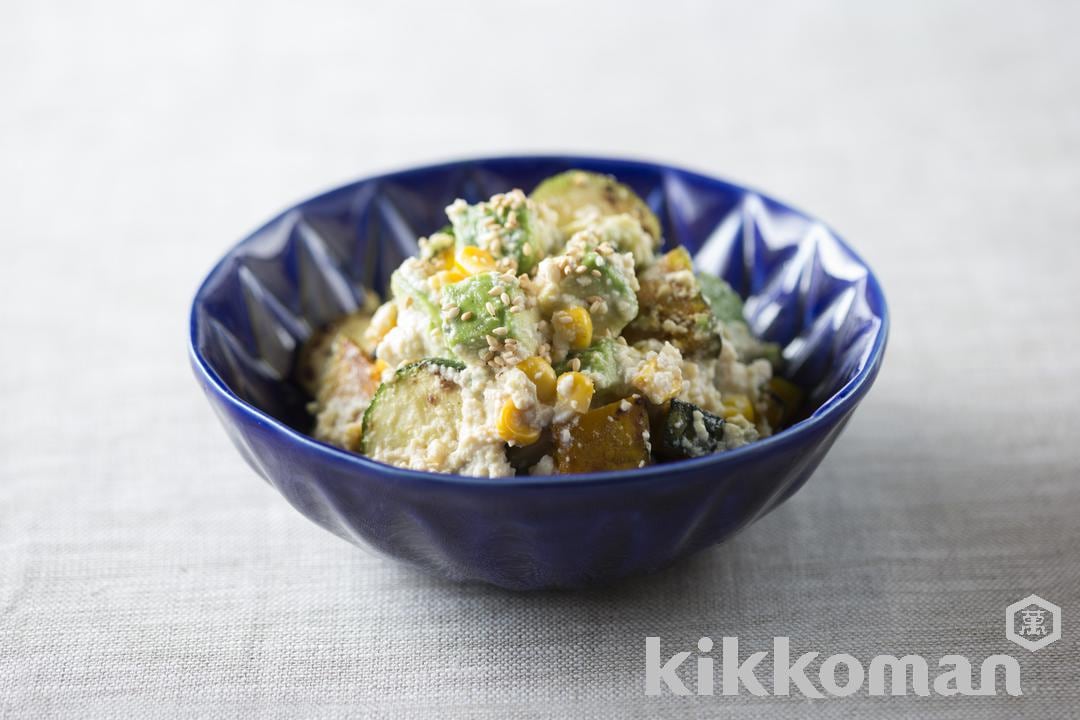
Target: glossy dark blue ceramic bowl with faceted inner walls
[805, 289]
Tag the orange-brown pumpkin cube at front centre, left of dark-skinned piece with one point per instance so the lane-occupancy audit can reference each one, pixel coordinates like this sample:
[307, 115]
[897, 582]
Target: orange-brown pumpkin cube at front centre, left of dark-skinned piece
[614, 437]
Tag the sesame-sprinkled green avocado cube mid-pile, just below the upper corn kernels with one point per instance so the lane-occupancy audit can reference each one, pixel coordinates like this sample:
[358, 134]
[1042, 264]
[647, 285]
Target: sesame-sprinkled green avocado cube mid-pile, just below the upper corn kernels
[479, 318]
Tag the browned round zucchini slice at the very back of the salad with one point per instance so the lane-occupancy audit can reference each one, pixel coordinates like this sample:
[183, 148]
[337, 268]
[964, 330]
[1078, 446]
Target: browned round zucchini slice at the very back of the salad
[580, 198]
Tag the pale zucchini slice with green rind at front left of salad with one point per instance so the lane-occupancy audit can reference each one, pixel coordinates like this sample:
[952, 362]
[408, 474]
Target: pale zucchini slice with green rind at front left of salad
[420, 406]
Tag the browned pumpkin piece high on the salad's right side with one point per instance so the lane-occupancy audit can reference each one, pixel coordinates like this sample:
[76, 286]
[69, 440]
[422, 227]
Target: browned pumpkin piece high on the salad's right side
[673, 308]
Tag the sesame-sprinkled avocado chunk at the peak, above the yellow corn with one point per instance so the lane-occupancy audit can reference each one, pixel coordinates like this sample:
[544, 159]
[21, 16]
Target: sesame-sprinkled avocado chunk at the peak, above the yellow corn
[508, 226]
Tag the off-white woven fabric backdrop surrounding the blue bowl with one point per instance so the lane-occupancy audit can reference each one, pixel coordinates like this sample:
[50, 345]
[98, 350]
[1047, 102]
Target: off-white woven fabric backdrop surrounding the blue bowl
[146, 572]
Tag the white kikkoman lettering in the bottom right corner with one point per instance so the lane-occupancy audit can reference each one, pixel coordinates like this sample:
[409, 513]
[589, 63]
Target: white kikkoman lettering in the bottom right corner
[840, 676]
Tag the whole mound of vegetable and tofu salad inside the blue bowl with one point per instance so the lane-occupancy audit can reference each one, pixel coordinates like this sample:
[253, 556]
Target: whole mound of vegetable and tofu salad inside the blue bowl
[546, 334]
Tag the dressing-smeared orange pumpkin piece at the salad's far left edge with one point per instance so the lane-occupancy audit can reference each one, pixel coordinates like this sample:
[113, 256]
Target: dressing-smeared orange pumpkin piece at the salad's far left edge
[349, 382]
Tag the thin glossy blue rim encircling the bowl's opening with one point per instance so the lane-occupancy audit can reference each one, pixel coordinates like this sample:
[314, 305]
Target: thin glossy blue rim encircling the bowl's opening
[835, 406]
